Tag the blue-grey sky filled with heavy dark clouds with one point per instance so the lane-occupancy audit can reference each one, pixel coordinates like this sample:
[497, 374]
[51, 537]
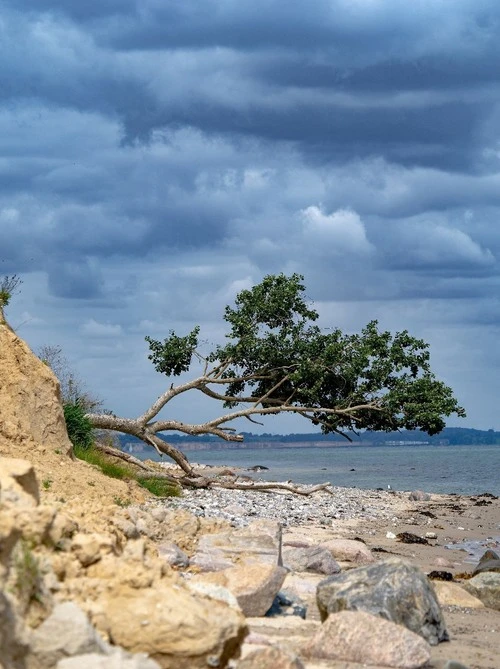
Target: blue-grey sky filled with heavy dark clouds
[158, 156]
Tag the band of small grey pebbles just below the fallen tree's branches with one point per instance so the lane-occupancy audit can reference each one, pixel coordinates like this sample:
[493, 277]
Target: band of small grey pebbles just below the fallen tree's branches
[240, 507]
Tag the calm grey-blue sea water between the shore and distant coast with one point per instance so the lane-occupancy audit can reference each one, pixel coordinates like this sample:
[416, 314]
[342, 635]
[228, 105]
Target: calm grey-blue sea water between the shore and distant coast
[441, 469]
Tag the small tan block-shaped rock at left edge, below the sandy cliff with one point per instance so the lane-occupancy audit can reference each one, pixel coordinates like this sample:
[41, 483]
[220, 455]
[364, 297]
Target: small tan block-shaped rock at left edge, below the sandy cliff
[18, 484]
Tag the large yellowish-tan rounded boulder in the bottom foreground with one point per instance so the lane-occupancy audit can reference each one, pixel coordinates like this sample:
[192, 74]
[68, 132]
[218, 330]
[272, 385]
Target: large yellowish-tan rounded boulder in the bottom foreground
[179, 630]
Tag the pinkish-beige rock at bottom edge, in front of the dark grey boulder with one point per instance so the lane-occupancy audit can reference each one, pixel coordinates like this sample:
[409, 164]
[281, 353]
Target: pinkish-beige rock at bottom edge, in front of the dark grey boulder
[356, 636]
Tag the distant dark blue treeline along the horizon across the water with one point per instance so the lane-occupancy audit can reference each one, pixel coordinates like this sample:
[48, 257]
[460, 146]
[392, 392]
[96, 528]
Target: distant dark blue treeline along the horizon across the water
[450, 435]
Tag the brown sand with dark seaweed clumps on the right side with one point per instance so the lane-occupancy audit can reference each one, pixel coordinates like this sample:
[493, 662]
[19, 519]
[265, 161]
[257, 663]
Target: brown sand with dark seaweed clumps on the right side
[475, 633]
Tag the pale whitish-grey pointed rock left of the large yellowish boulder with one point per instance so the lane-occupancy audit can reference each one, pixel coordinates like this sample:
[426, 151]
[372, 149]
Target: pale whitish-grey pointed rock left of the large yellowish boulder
[66, 632]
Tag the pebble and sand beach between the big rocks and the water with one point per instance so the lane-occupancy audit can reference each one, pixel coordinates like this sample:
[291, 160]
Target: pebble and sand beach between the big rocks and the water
[376, 517]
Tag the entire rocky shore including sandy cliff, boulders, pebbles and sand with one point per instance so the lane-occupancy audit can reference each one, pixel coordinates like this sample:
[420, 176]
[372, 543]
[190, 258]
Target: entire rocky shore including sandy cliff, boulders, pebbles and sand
[95, 573]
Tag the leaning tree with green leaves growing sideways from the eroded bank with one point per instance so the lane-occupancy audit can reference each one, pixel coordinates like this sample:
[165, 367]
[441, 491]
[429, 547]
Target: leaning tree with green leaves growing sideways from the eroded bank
[277, 361]
